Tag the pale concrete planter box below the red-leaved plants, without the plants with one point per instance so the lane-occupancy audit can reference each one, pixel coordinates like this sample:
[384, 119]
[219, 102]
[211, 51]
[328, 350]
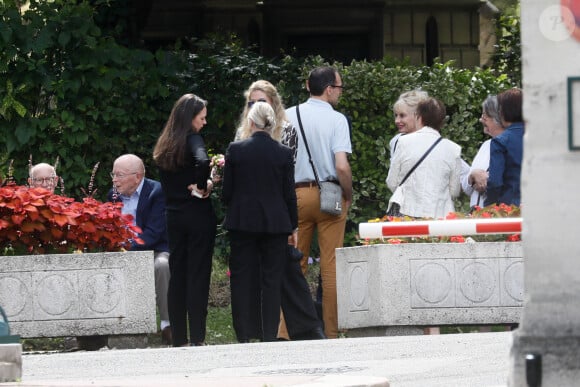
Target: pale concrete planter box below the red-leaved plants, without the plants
[79, 294]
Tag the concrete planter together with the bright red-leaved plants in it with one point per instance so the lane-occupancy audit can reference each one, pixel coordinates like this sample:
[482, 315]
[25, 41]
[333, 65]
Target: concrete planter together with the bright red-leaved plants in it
[64, 269]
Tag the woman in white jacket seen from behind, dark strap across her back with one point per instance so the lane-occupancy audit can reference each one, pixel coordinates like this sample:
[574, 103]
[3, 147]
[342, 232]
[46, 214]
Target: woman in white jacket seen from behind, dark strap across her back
[429, 189]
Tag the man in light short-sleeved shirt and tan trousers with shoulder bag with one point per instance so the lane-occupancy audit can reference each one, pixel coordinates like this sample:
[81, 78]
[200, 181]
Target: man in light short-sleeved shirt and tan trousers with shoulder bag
[328, 137]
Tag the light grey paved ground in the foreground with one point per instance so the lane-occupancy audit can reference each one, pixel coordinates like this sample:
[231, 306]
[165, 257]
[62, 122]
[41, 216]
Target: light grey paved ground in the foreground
[470, 359]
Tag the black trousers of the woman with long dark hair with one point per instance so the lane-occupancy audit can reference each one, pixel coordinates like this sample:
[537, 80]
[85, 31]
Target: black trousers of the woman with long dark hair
[191, 236]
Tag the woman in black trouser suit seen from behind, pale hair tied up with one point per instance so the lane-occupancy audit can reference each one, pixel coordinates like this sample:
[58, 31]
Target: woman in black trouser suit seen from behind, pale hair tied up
[258, 189]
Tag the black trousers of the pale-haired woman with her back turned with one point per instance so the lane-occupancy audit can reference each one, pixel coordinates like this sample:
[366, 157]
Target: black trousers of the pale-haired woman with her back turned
[257, 264]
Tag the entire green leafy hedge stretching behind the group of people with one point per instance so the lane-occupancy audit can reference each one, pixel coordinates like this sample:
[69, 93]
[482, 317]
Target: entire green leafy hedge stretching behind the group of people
[69, 89]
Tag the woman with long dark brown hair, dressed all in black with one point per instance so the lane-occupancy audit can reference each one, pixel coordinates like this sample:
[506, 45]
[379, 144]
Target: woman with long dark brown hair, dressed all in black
[191, 222]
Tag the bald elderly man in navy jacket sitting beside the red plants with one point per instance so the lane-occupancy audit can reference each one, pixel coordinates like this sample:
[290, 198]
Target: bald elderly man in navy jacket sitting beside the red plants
[143, 198]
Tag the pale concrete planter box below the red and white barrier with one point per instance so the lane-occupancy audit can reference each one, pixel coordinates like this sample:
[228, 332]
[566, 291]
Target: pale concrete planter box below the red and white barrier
[392, 289]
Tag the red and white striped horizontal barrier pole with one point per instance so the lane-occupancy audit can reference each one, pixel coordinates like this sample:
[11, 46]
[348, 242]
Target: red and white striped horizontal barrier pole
[449, 227]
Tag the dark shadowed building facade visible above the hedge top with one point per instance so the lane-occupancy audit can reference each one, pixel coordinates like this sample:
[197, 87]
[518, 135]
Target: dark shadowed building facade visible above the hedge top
[460, 30]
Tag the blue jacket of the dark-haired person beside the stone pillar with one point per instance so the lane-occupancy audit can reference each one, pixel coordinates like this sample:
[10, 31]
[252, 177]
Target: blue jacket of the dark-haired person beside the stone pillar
[505, 166]
